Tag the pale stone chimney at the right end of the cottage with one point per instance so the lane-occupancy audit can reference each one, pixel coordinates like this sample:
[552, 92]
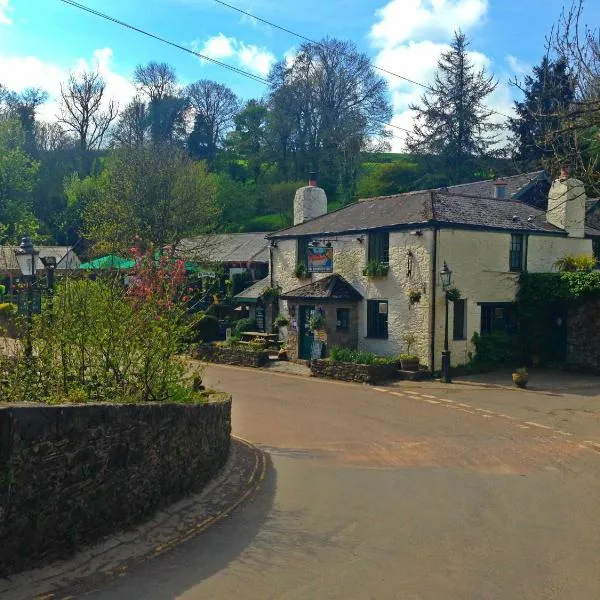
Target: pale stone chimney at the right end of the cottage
[566, 204]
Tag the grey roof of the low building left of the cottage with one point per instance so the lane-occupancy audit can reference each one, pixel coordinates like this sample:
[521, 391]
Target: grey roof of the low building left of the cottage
[226, 248]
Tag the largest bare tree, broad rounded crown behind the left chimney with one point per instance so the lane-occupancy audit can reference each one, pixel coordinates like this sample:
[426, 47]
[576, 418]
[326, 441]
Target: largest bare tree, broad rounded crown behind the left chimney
[327, 101]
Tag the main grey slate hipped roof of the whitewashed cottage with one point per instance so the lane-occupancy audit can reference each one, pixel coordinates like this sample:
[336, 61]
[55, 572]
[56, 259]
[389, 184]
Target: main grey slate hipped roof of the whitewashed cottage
[424, 208]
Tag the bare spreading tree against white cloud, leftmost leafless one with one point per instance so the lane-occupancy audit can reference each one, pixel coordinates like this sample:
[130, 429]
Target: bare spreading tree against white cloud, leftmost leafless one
[85, 112]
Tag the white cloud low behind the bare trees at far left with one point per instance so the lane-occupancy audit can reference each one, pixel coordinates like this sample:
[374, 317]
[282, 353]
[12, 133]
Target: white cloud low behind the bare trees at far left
[20, 72]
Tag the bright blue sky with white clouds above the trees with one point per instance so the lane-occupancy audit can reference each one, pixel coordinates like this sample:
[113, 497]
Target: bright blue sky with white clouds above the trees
[41, 41]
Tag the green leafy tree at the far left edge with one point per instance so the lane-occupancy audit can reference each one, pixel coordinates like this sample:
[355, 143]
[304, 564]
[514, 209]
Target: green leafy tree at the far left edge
[18, 176]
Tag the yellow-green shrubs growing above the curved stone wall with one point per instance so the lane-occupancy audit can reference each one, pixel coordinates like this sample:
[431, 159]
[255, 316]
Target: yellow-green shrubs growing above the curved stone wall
[96, 343]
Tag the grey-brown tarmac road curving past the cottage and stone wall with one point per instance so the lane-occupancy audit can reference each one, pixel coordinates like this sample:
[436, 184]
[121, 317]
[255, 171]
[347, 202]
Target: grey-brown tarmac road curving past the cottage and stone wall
[411, 492]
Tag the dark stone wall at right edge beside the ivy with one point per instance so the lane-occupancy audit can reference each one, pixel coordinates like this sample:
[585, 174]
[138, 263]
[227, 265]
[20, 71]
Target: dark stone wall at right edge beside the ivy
[583, 334]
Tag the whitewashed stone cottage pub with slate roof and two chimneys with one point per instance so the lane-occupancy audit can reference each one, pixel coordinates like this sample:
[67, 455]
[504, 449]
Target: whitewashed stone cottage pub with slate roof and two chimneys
[370, 271]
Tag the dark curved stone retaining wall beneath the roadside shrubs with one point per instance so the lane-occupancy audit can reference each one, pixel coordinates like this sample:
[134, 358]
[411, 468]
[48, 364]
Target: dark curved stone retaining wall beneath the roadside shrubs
[70, 475]
